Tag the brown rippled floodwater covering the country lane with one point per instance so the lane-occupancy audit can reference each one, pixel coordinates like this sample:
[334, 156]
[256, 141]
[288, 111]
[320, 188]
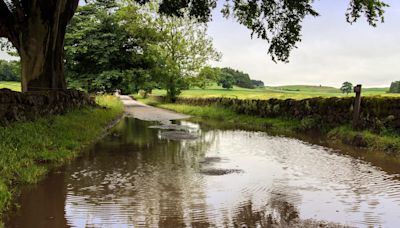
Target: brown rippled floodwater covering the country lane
[215, 178]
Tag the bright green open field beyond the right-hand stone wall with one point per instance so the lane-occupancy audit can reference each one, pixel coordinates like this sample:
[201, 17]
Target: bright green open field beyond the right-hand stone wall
[281, 92]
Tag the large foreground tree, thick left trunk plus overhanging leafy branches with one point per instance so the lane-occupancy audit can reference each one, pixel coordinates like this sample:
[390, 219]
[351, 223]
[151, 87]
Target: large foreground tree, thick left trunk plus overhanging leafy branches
[36, 28]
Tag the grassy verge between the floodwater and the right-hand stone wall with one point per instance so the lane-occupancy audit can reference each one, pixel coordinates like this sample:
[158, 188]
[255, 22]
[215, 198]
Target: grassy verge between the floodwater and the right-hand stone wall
[386, 141]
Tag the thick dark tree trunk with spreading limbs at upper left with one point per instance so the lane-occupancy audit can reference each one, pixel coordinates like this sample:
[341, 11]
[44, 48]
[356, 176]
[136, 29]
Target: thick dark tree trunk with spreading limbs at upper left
[37, 30]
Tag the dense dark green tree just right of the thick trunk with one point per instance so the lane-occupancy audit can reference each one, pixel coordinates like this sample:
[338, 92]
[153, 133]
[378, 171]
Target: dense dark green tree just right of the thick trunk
[104, 52]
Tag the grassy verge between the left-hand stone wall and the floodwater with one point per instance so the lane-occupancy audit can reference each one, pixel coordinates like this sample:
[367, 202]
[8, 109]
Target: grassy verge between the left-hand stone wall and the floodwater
[29, 149]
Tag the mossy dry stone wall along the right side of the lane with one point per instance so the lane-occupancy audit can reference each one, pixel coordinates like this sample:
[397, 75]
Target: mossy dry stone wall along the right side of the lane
[377, 113]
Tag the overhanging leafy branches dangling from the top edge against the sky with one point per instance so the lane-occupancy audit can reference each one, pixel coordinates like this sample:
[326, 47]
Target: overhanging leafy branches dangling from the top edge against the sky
[279, 22]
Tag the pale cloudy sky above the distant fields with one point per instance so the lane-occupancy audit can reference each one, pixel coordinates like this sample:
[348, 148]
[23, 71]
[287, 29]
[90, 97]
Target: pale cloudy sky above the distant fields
[331, 51]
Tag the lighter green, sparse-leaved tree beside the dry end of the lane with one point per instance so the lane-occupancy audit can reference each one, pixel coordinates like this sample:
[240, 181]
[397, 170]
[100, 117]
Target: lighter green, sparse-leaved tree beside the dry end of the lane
[184, 50]
